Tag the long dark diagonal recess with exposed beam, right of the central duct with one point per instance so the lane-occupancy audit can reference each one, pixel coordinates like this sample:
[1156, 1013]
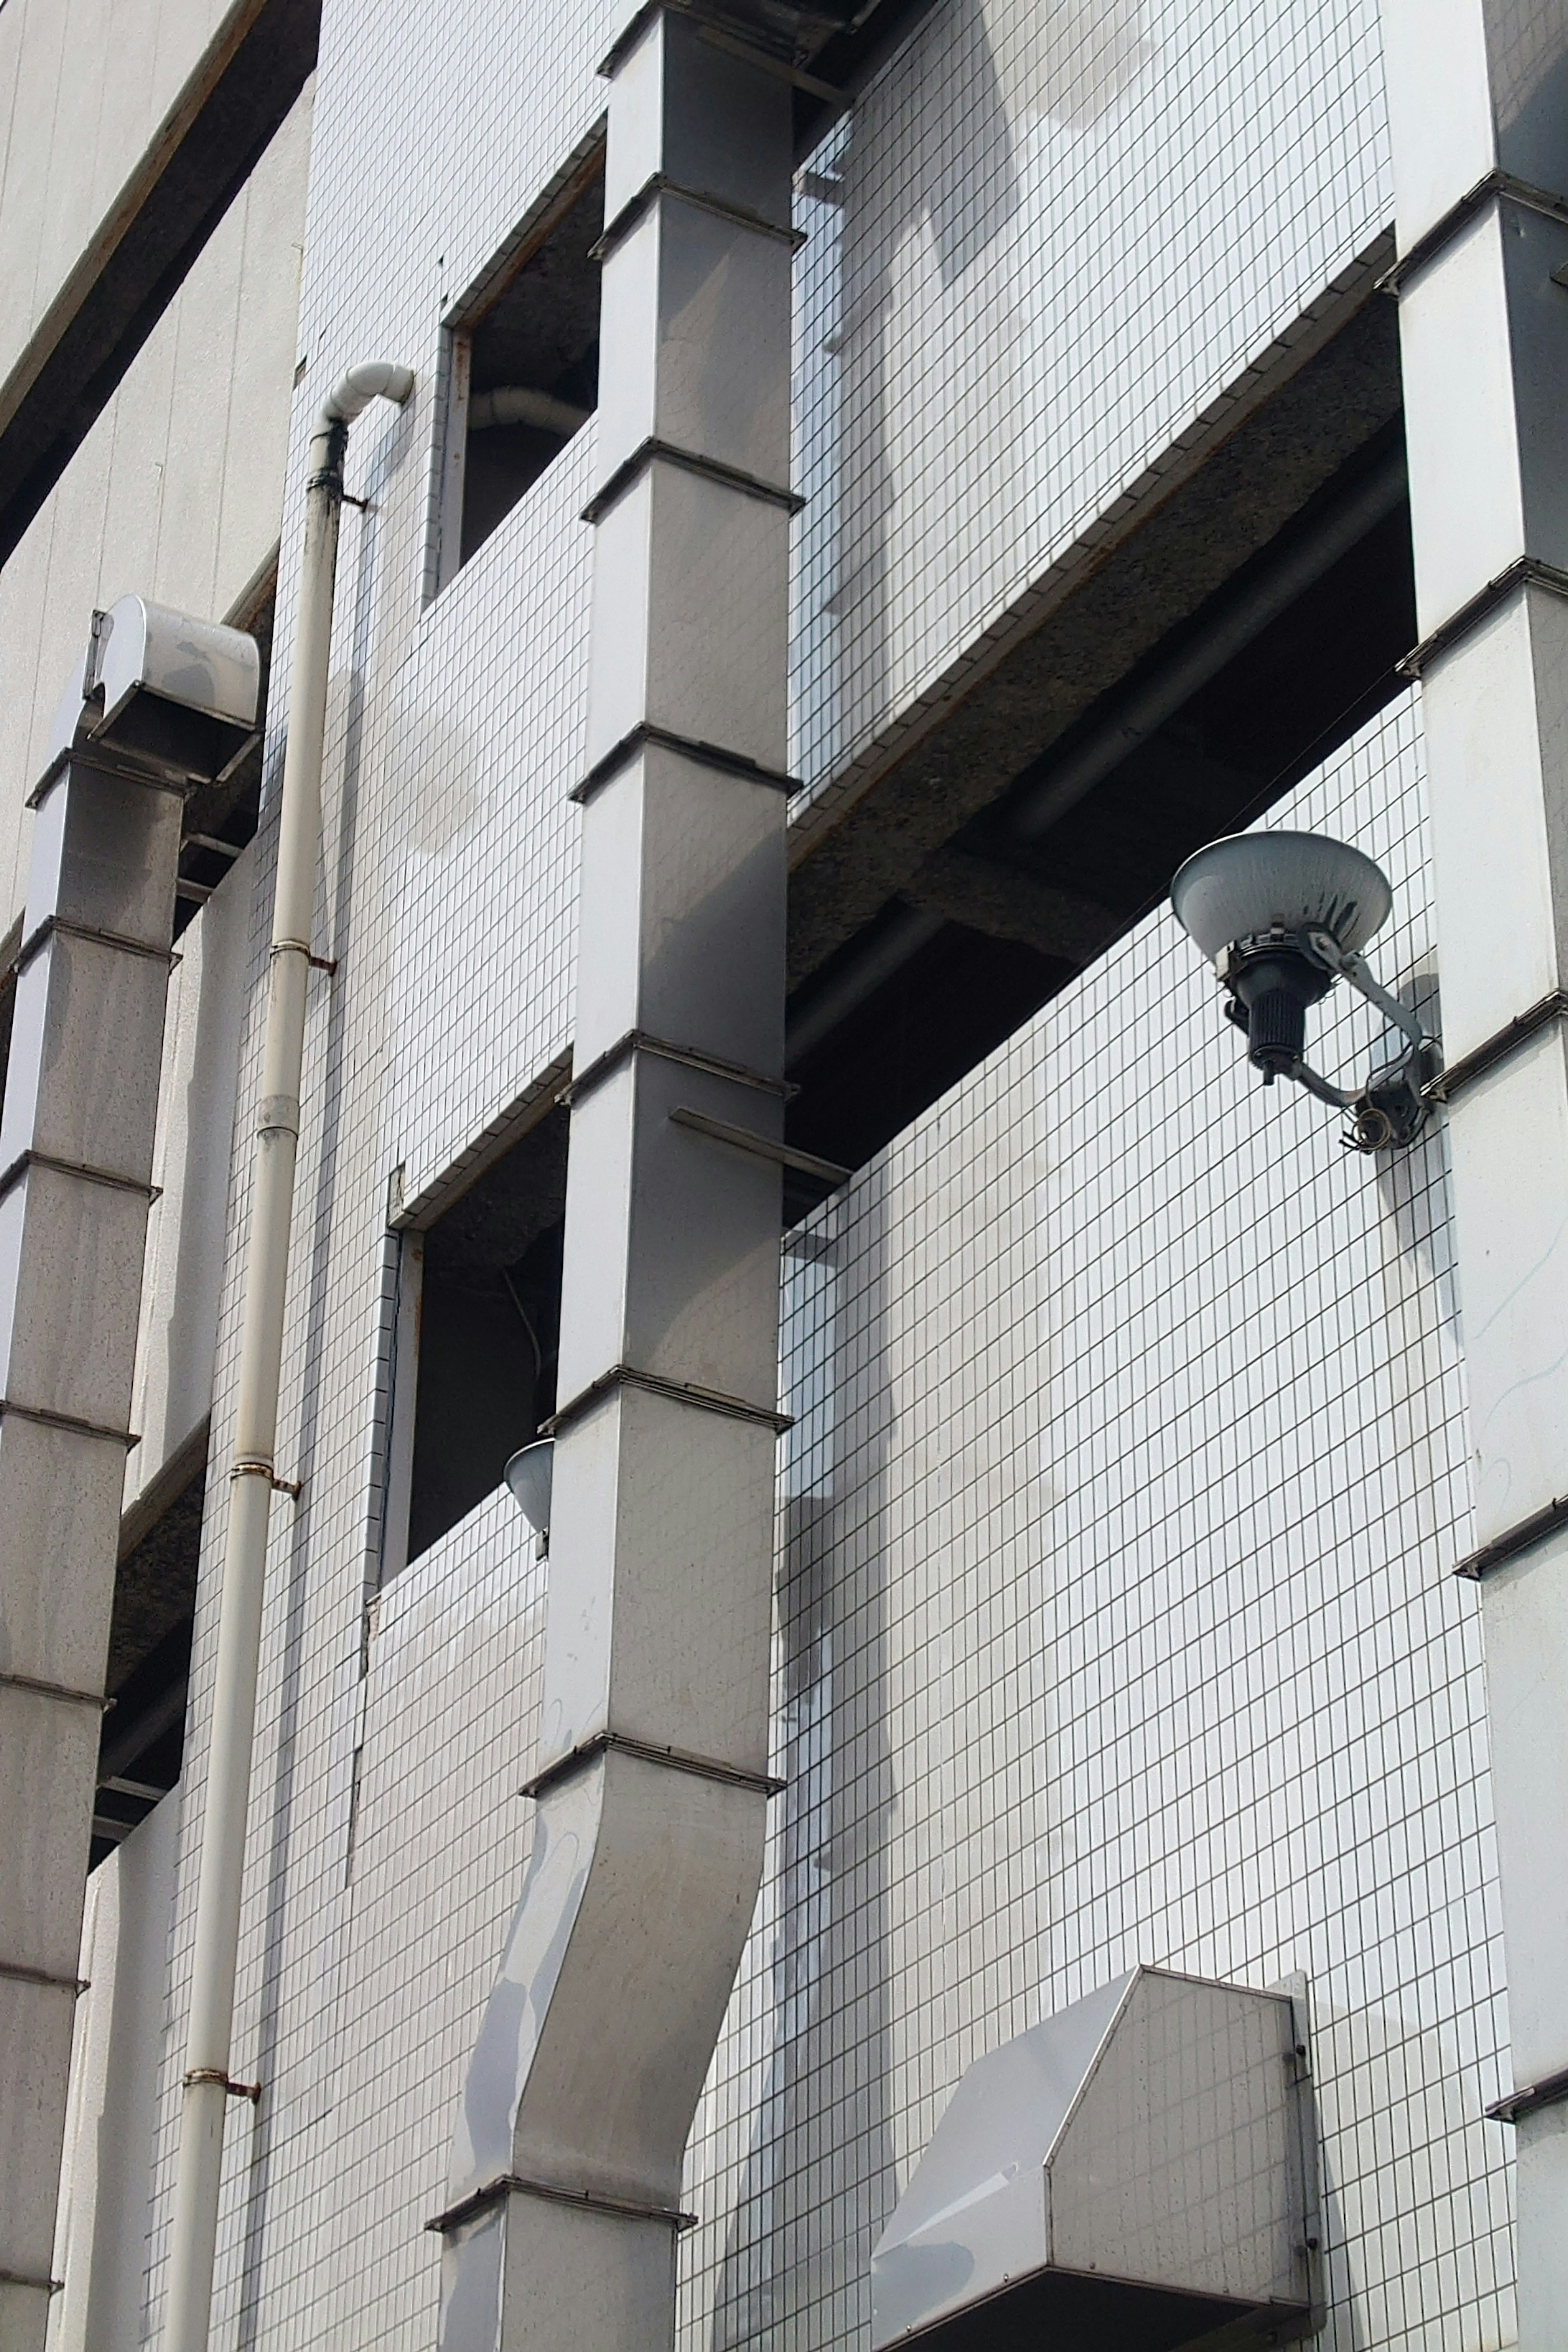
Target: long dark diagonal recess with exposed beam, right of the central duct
[927, 918]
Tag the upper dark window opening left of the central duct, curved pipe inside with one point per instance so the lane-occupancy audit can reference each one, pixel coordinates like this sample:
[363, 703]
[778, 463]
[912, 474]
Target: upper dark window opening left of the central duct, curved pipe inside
[528, 363]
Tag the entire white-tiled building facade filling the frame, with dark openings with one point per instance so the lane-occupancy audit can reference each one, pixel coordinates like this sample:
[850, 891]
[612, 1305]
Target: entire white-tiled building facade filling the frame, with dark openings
[1170, 450]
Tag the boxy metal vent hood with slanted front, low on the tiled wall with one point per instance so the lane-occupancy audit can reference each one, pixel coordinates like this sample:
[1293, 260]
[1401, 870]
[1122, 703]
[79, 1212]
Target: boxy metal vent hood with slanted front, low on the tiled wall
[1132, 2174]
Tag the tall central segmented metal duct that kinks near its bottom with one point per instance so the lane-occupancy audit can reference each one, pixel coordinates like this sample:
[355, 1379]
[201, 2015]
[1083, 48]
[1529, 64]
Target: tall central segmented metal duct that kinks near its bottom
[652, 1775]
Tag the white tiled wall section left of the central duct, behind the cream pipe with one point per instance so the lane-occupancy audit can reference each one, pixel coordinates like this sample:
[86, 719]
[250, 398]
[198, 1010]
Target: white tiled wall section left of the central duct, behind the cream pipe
[448, 902]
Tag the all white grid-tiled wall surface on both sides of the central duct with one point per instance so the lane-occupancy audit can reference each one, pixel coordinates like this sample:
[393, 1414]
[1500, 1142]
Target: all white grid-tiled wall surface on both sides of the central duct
[1099, 1438]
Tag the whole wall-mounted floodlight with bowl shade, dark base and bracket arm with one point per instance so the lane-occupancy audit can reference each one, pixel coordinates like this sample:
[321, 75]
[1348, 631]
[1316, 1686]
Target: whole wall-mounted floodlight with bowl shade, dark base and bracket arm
[1285, 916]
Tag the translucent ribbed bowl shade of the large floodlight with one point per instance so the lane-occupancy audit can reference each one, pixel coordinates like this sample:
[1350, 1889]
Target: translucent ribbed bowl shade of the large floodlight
[1280, 883]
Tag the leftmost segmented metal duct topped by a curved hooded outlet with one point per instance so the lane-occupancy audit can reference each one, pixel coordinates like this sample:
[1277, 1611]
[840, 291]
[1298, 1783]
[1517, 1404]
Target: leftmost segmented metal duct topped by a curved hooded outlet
[159, 707]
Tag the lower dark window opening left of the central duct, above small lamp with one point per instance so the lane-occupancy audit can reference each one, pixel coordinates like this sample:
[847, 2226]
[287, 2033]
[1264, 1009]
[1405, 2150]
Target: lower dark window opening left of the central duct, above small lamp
[488, 1330]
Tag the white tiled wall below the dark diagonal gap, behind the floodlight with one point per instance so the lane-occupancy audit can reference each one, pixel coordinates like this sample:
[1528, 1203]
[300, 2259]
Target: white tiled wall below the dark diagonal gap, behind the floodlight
[1118, 1624]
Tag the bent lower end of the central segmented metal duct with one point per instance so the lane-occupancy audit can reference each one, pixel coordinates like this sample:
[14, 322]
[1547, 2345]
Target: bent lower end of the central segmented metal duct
[594, 2052]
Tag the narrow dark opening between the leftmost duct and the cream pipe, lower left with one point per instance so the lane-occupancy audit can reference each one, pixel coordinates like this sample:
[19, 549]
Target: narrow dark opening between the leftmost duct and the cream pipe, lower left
[149, 1648]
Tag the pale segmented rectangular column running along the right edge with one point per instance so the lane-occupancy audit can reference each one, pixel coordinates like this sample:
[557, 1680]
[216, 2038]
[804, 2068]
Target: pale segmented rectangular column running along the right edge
[1480, 105]
